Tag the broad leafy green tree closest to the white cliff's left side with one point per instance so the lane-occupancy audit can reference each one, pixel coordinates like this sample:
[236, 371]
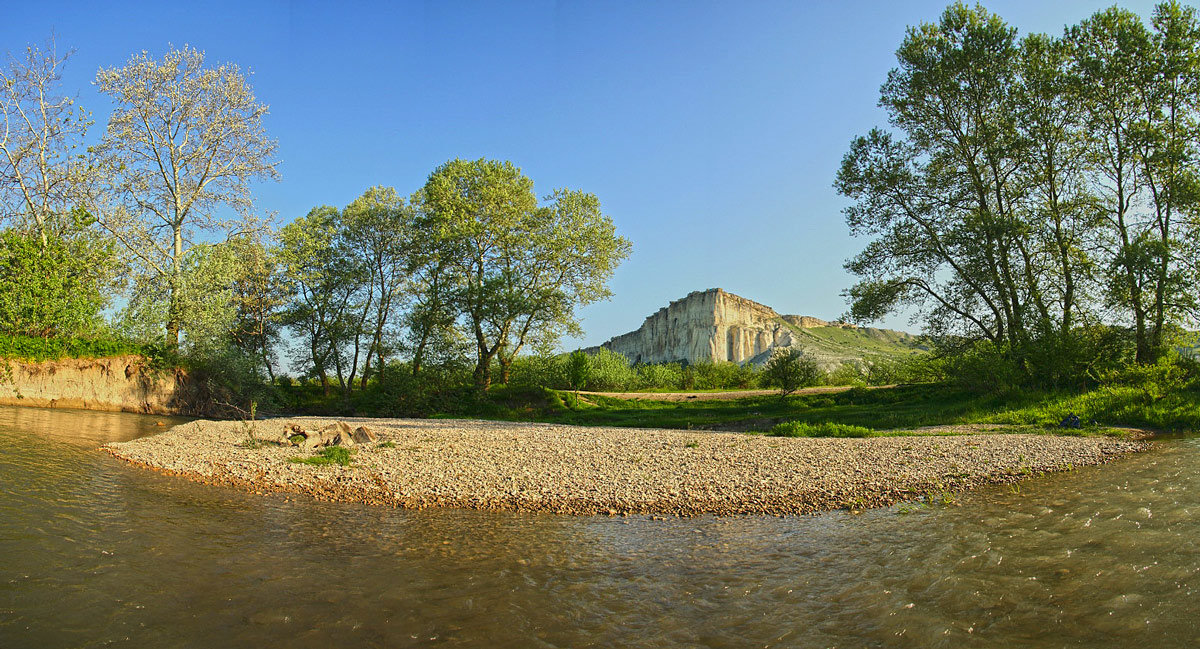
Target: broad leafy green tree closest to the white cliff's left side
[514, 271]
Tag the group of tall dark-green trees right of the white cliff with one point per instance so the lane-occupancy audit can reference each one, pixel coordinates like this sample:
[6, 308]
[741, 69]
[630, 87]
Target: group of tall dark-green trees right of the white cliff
[1037, 197]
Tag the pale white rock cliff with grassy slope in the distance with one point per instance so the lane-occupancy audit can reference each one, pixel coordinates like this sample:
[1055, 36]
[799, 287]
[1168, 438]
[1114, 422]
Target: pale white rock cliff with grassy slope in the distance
[716, 326]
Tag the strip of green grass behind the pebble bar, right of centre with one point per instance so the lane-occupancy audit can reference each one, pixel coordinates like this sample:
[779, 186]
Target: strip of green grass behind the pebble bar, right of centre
[899, 408]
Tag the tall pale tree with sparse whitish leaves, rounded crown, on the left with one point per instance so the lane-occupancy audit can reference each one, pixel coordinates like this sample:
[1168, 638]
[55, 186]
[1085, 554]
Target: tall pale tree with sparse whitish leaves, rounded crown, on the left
[183, 142]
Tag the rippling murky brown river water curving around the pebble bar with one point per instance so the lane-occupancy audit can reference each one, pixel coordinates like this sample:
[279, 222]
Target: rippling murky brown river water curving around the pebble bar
[98, 554]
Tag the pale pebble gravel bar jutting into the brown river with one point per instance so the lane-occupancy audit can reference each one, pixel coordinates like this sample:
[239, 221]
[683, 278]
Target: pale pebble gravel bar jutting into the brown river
[585, 471]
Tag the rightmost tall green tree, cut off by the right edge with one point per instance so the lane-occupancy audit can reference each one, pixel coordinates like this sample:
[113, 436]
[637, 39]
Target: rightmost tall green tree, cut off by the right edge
[1141, 91]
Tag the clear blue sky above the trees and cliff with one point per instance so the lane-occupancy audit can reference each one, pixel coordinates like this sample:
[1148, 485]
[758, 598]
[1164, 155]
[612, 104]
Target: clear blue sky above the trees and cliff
[710, 131]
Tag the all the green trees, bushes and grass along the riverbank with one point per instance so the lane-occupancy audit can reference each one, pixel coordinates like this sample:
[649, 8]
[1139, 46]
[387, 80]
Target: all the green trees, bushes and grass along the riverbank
[1034, 207]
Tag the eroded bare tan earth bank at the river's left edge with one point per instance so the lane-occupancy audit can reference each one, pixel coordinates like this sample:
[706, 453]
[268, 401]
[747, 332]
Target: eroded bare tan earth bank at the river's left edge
[121, 384]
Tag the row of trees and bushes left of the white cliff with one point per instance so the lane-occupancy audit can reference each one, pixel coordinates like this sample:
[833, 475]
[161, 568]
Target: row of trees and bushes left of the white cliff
[152, 235]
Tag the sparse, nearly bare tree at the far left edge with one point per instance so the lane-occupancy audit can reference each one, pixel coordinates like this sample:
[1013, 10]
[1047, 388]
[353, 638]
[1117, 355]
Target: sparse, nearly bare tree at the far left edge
[43, 165]
